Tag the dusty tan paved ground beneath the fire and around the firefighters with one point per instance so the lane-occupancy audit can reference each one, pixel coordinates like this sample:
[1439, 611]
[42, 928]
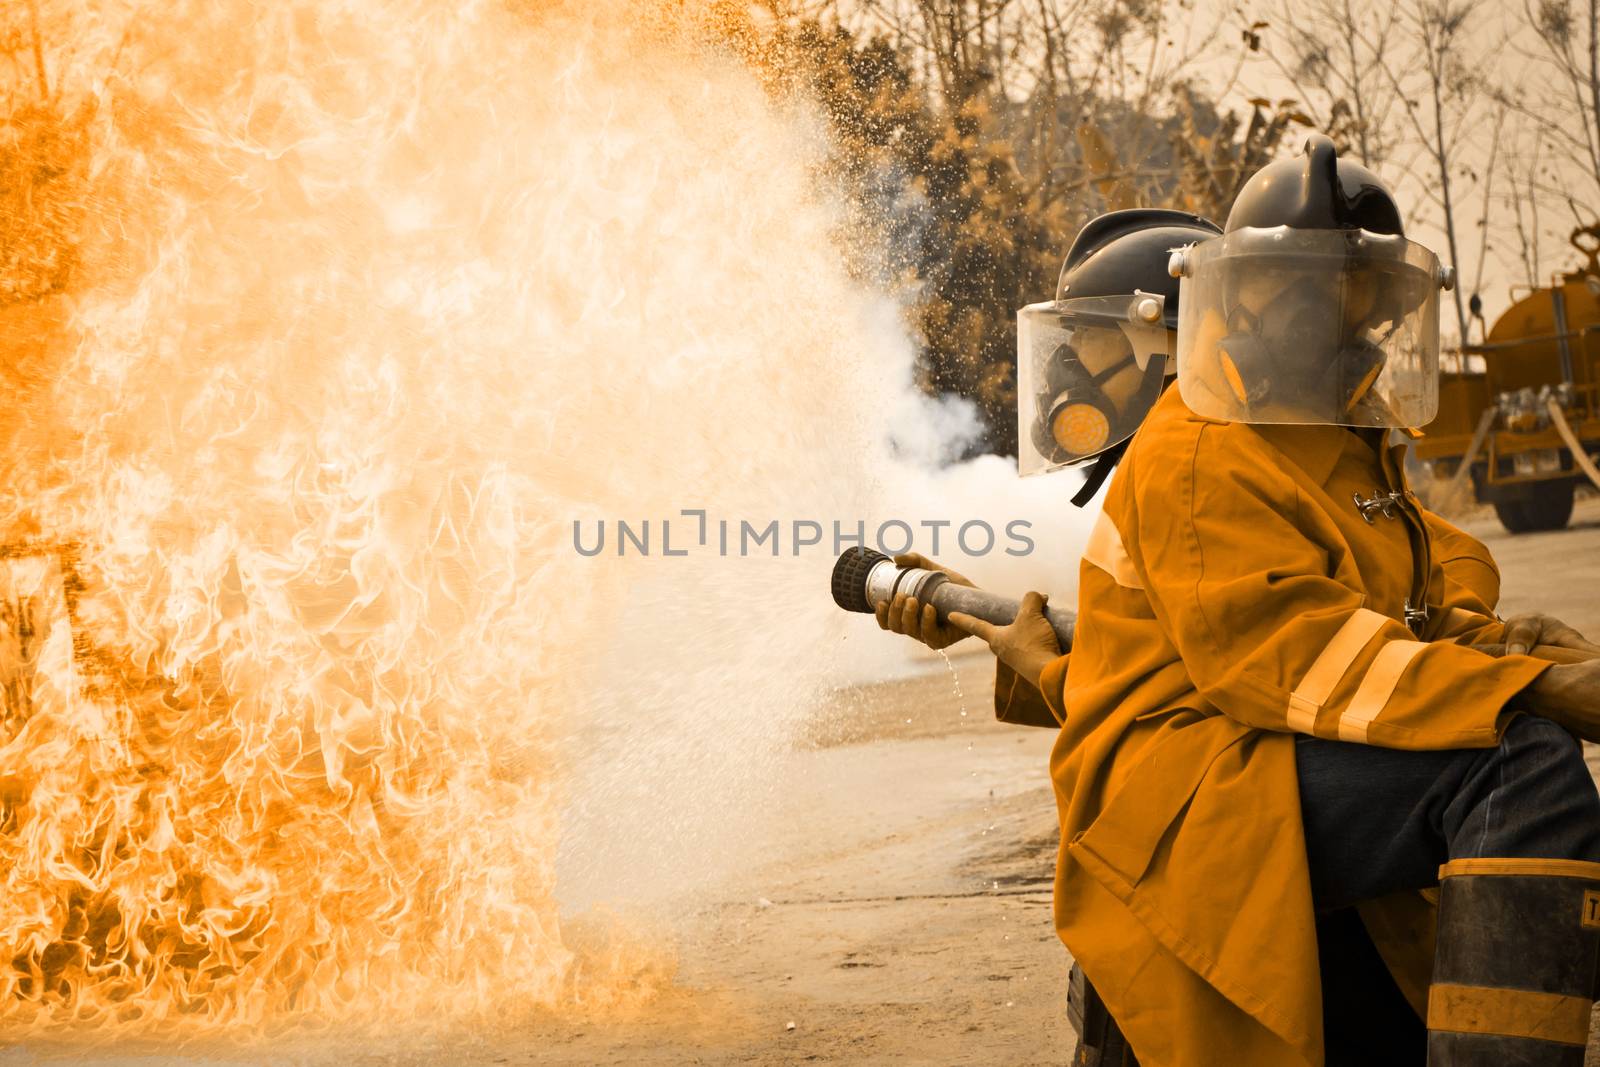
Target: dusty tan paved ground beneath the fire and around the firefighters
[905, 916]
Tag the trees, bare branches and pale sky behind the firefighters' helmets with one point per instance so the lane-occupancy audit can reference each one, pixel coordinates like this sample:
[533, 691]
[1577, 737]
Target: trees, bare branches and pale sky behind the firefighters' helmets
[977, 137]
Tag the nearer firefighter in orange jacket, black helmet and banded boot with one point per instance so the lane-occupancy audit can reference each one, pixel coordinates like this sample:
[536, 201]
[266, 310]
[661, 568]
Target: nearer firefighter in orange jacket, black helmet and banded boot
[1278, 701]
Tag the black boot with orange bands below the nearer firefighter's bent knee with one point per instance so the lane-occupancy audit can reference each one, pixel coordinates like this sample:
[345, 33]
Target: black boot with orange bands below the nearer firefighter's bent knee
[1516, 969]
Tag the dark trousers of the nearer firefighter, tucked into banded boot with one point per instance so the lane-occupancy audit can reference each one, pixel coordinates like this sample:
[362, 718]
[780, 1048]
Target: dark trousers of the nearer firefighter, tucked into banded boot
[1378, 821]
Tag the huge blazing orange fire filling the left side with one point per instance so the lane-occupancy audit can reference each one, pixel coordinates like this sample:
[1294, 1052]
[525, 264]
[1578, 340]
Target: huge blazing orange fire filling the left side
[321, 321]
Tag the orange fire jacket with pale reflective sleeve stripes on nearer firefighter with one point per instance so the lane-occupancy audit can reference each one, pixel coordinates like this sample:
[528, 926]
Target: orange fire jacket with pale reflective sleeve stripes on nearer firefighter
[1233, 594]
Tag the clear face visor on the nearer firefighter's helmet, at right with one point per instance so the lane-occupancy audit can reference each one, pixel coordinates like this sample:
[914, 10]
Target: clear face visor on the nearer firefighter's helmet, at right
[1321, 327]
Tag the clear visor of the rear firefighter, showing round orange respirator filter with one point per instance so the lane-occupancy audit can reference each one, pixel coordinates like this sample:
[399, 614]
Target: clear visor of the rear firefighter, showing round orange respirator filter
[1087, 374]
